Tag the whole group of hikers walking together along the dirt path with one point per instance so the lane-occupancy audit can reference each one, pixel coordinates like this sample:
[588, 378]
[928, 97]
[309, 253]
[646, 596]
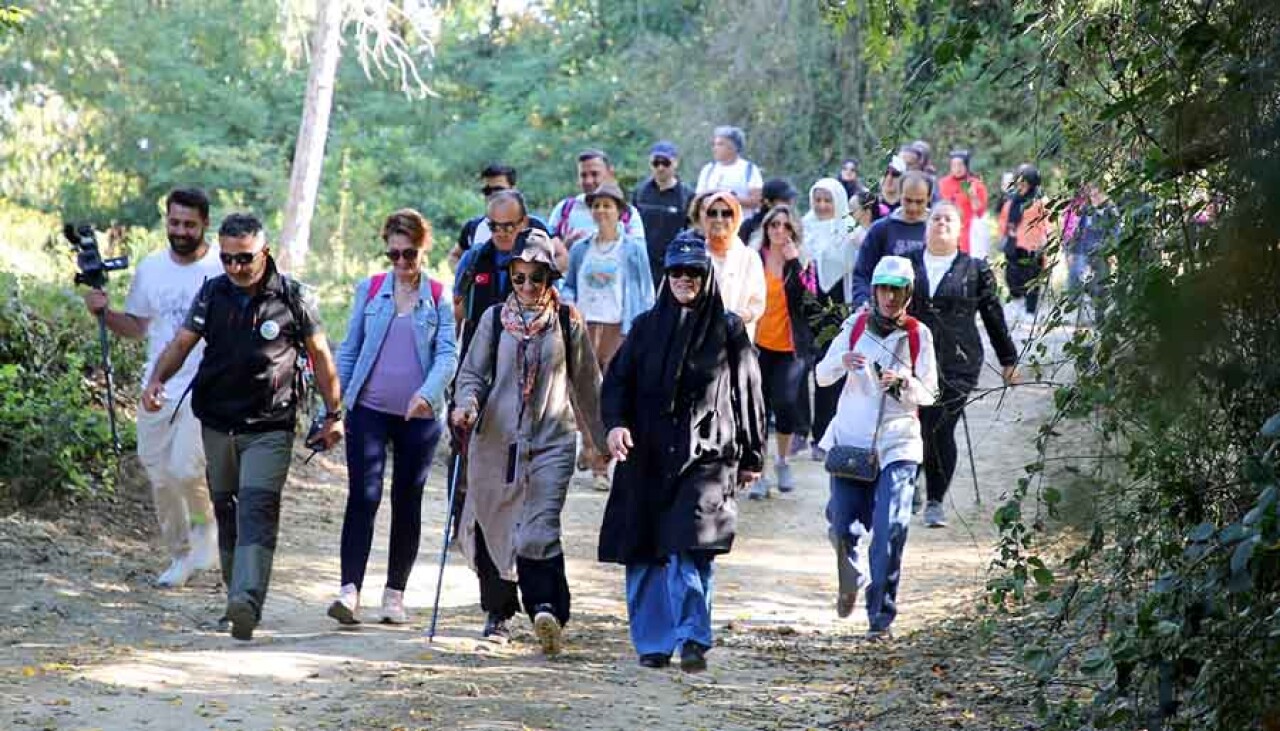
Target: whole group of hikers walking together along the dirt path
[653, 340]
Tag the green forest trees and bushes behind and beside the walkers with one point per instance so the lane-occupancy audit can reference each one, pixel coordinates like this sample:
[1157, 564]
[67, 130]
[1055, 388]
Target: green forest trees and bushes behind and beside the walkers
[1164, 610]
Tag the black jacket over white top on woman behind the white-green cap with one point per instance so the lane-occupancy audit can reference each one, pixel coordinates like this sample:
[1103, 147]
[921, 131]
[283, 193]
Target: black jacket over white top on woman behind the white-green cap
[967, 289]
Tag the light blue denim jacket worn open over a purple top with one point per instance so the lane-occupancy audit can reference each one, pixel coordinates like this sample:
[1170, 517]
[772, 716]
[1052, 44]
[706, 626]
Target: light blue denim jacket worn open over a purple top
[433, 335]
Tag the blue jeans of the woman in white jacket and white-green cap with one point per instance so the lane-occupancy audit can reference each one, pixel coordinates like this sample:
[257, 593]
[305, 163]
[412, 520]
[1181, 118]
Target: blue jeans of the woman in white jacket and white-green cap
[871, 524]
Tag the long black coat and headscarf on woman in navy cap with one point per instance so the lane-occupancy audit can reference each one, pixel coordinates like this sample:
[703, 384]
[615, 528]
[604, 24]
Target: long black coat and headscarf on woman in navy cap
[675, 492]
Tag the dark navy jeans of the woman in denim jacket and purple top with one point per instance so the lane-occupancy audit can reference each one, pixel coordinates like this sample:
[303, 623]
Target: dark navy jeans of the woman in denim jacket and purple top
[413, 447]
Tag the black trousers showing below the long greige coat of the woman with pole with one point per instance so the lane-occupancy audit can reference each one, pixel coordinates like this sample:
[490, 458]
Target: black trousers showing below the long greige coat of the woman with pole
[542, 583]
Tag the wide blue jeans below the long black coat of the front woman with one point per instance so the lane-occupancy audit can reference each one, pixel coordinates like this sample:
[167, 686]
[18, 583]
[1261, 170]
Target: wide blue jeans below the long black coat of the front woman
[671, 605]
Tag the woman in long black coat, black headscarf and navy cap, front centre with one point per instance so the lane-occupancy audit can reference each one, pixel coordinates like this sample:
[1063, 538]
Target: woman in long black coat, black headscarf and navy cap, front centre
[685, 418]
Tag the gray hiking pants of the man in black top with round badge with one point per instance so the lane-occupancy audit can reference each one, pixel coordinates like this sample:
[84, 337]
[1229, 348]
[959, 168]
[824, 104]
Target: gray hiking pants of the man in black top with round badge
[246, 481]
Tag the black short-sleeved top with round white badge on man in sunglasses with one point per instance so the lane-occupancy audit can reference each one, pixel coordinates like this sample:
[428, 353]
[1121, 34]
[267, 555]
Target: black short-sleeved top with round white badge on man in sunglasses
[246, 382]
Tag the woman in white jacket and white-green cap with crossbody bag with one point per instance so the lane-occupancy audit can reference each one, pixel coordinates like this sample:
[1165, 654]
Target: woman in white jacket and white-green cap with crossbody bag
[890, 368]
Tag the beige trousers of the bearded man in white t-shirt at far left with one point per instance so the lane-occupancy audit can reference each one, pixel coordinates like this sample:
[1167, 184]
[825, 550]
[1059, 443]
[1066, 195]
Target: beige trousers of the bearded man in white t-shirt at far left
[173, 455]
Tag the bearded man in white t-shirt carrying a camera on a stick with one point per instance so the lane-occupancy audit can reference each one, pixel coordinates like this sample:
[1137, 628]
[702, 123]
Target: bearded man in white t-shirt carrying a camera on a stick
[170, 441]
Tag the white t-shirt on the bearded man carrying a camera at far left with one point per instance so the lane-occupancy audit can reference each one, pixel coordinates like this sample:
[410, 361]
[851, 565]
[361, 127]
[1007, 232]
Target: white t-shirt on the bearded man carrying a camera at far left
[163, 293]
